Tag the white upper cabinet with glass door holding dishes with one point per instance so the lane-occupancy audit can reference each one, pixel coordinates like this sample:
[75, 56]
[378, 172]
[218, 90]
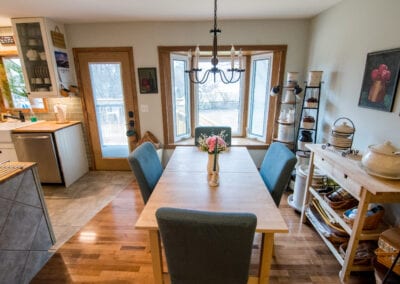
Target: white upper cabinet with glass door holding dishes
[42, 47]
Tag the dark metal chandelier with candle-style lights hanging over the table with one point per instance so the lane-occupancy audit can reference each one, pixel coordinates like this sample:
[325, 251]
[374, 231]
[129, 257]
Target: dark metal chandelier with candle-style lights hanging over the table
[232, 75]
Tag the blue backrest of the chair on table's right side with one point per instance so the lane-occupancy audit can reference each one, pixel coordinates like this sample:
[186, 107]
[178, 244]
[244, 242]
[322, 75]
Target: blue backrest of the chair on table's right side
[276, 169]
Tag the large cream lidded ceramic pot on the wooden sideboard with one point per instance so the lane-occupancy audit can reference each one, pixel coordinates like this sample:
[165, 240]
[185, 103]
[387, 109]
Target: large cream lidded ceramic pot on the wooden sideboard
[383, 160]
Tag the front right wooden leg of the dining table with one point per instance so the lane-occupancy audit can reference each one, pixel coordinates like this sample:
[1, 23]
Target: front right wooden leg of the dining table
[267, 245]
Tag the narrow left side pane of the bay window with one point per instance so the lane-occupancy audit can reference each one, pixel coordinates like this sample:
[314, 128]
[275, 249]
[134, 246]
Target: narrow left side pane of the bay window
[180, 99]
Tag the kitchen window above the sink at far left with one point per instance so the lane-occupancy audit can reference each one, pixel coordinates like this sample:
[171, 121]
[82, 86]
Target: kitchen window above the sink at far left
[14, 95]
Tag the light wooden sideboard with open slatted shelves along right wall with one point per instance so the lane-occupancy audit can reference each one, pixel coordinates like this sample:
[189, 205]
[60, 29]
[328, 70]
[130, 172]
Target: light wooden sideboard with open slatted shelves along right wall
[347, 172]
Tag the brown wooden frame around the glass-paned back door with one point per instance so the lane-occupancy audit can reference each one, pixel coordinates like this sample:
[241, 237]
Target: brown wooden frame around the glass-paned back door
[129, 51]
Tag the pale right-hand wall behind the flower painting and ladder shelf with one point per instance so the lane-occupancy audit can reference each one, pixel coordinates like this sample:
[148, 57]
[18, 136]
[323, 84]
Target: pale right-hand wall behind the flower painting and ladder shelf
[340, 39]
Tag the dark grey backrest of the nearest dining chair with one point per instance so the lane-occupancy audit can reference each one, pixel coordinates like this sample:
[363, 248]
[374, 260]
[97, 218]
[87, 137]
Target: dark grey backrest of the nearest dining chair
[206, 247]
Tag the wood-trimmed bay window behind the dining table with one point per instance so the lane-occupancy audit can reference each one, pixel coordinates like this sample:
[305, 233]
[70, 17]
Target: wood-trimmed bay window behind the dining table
[245, 106]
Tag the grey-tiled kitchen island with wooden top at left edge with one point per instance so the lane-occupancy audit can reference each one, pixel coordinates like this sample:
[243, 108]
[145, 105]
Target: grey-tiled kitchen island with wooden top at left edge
[26, 234]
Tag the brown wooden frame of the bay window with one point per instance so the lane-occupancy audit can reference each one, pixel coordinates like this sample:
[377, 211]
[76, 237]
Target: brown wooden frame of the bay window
[277, 74]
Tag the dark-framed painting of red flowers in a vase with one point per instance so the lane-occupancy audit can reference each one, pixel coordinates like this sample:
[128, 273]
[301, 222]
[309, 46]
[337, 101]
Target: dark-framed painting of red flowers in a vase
[381, 76]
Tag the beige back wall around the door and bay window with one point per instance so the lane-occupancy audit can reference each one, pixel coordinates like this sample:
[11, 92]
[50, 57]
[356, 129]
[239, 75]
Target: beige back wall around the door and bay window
[144, 37]
